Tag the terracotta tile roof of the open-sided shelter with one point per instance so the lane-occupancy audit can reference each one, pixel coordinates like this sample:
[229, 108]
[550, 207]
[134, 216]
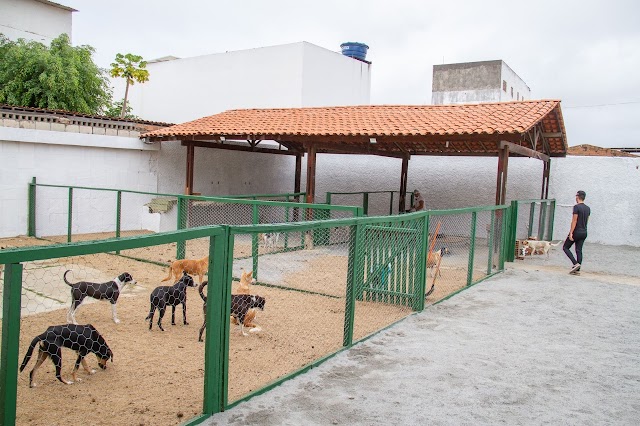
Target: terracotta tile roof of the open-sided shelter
[410, 128]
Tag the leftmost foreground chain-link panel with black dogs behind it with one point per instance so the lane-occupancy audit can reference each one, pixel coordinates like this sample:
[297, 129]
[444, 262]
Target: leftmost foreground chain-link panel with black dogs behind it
[82, 320]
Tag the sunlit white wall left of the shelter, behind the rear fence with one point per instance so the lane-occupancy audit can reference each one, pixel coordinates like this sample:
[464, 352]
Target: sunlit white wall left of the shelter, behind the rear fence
[73, 159]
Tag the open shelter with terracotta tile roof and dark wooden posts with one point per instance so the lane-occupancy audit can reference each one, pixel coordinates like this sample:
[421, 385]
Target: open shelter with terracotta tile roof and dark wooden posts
[532, 129]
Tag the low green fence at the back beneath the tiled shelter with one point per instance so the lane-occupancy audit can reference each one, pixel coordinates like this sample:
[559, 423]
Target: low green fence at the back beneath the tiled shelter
[374, 203]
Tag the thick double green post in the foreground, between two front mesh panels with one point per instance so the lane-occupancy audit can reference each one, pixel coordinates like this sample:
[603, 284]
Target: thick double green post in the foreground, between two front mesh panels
[216, 355]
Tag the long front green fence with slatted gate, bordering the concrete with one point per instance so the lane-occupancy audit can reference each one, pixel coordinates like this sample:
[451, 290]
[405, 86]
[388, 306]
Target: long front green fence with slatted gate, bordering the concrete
[346, 280]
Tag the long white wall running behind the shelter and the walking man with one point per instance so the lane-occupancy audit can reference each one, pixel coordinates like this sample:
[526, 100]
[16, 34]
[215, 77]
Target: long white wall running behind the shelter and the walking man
[612, 184]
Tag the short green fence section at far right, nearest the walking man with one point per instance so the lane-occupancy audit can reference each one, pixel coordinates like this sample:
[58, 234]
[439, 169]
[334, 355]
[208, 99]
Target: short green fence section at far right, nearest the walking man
[530, 218]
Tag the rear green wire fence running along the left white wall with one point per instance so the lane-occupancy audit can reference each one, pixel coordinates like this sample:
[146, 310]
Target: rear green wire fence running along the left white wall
[63, 213]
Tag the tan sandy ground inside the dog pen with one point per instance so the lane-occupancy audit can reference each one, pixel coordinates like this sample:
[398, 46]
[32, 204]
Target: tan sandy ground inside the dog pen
[157, 377]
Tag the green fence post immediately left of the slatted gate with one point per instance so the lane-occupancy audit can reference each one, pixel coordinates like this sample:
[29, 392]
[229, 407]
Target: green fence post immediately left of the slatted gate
[354, 281]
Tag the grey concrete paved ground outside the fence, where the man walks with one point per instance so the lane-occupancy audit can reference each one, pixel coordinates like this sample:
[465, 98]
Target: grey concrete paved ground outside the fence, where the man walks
[533, 345]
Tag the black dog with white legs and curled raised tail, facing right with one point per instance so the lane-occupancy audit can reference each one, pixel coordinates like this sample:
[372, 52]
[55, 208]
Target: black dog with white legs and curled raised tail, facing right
[109, 291]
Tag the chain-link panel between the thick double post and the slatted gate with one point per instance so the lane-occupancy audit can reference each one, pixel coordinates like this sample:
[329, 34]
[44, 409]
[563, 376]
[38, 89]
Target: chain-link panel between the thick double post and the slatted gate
[301, 318]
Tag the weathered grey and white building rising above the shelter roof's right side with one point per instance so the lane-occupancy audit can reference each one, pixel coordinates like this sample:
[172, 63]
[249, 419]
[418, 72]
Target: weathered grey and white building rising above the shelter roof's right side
[476, 82]
